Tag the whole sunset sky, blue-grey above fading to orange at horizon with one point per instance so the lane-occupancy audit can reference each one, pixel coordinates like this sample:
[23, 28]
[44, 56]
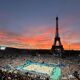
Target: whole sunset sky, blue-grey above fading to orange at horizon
[31, 23]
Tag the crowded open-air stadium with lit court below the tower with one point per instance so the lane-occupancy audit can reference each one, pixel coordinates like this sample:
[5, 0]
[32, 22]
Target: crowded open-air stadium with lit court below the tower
[26, 66]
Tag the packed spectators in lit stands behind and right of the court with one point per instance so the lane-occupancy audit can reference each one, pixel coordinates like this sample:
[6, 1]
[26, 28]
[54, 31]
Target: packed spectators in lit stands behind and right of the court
[68, 66]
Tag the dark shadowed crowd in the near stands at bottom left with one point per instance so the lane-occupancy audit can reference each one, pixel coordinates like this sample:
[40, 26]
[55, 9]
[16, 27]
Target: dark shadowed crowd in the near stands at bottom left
[16, 75]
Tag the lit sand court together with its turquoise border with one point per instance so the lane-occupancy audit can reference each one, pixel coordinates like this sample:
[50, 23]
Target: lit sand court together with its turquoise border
[37, 68]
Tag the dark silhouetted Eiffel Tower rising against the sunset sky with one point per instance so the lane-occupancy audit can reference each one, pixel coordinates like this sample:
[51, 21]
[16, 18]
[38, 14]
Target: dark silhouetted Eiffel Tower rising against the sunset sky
[57, 46]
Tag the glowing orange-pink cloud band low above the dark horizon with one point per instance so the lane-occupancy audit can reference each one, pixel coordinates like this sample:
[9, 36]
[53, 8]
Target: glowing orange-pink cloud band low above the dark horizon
[42, 40]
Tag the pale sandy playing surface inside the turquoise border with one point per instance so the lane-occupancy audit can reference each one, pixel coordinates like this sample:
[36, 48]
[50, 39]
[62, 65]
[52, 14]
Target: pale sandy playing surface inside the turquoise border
[39, 68]
